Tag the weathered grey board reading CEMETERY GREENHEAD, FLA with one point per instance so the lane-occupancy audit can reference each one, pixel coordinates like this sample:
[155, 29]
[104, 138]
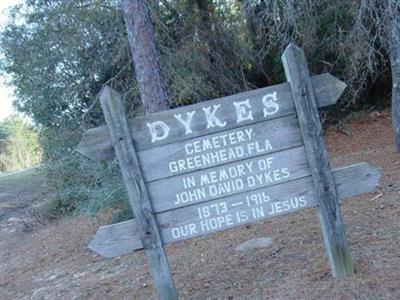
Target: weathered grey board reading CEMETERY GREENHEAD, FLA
[220, 148]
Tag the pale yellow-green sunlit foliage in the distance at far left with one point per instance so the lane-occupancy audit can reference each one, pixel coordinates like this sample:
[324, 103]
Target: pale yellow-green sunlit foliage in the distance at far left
[19, 146]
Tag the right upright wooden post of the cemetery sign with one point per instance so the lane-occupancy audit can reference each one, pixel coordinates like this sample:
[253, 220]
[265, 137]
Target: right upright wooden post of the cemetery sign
[297, 74]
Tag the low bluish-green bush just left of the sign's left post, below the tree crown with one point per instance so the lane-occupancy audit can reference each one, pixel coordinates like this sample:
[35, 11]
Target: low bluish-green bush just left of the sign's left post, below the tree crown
[76, 183]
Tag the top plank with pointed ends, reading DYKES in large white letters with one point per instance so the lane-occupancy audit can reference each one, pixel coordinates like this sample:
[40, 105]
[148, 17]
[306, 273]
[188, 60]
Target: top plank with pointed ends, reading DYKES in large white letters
[96, 142]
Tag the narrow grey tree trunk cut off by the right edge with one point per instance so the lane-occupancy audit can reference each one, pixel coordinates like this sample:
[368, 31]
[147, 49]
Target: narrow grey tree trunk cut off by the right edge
[394, 56]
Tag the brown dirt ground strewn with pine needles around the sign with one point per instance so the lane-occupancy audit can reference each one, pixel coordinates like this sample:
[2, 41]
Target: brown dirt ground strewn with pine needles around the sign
[53, 262]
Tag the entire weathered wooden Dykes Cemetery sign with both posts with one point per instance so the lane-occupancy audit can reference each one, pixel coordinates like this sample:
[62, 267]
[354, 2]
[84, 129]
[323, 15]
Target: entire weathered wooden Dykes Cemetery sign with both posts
[226, 162]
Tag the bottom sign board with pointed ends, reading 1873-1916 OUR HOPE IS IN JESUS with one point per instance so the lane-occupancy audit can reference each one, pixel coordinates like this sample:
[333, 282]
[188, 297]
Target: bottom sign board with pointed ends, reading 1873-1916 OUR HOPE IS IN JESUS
[176, 225]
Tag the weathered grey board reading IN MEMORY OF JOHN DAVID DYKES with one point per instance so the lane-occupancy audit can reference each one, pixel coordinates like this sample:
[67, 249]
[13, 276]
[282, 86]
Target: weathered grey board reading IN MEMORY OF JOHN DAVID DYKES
[229, 179]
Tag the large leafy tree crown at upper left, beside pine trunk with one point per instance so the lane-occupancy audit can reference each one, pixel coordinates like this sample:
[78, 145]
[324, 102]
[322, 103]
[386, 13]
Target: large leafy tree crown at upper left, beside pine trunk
[60, 55]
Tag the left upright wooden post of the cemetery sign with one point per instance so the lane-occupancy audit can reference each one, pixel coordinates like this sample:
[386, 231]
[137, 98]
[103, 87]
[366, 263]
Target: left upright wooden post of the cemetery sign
[114, 114]
